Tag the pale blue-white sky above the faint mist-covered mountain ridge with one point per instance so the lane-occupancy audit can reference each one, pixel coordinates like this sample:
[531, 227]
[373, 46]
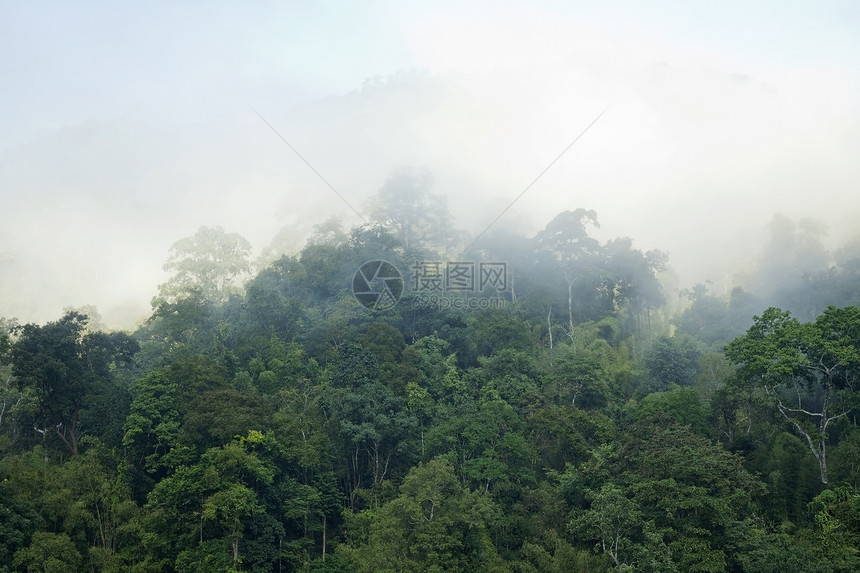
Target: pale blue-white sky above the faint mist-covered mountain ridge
[65, 62]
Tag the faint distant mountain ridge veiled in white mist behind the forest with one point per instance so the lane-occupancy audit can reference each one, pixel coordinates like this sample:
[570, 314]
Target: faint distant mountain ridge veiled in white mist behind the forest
[93, 208]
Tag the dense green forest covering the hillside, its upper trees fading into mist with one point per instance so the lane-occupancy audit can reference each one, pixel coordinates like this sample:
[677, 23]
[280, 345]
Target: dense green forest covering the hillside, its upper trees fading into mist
[404, 396]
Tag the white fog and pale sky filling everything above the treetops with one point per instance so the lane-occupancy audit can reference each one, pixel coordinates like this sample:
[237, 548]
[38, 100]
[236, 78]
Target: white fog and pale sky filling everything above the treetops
[124, 129]
